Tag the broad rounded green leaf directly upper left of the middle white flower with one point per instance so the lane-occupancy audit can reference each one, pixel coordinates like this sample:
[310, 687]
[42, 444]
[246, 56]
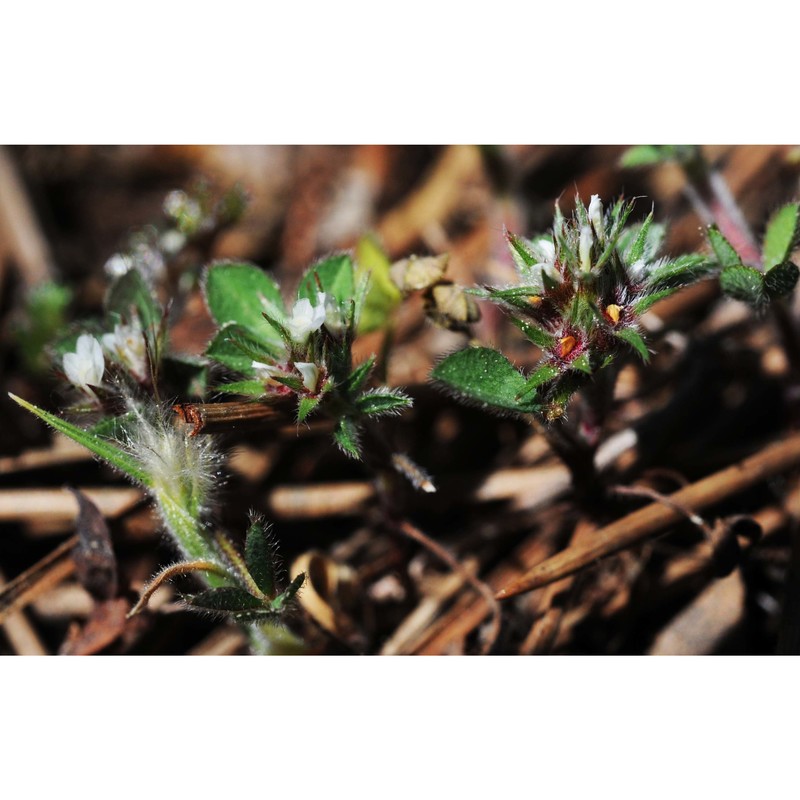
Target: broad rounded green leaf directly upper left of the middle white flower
[236, 293]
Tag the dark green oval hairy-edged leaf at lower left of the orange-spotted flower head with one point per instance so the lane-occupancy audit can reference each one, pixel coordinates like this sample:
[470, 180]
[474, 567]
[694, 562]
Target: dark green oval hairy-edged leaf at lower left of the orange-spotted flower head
[483, 375]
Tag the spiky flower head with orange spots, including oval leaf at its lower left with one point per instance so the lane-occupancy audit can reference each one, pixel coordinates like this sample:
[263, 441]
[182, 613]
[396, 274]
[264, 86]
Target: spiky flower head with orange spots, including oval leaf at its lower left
[582, 290]
